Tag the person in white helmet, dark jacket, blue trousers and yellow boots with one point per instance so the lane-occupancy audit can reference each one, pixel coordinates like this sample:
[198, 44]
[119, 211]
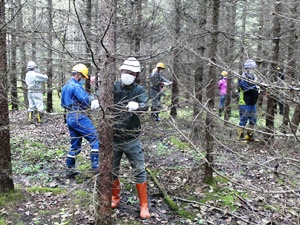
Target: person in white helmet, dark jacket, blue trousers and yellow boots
[249, 92]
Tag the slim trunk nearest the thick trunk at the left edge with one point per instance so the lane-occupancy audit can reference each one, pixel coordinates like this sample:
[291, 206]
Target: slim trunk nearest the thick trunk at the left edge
[13, 74]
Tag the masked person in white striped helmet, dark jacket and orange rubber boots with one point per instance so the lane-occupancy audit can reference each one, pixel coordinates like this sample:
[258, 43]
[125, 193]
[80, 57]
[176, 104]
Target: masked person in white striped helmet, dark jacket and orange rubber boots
[129, 98]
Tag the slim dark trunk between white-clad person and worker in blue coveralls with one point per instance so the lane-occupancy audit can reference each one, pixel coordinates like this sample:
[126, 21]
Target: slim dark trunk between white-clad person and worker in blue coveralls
[49, 60]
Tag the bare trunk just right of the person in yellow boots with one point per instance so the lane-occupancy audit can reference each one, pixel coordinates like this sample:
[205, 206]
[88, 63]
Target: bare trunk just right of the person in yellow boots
[275, 59]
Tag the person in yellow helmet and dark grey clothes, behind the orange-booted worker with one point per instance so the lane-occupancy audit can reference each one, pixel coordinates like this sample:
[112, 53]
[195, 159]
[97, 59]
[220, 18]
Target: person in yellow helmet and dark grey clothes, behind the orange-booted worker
[157, 82]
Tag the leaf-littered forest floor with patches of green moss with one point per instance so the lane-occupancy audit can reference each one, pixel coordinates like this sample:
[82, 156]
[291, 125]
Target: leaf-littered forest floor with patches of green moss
[255, 183]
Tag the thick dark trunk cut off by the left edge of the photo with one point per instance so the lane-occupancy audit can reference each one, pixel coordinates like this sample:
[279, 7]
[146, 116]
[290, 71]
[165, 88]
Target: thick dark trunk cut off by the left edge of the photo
[6, 178]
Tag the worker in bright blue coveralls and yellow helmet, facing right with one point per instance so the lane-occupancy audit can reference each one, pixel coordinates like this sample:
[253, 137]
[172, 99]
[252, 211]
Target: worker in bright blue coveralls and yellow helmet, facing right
[76, 100]
